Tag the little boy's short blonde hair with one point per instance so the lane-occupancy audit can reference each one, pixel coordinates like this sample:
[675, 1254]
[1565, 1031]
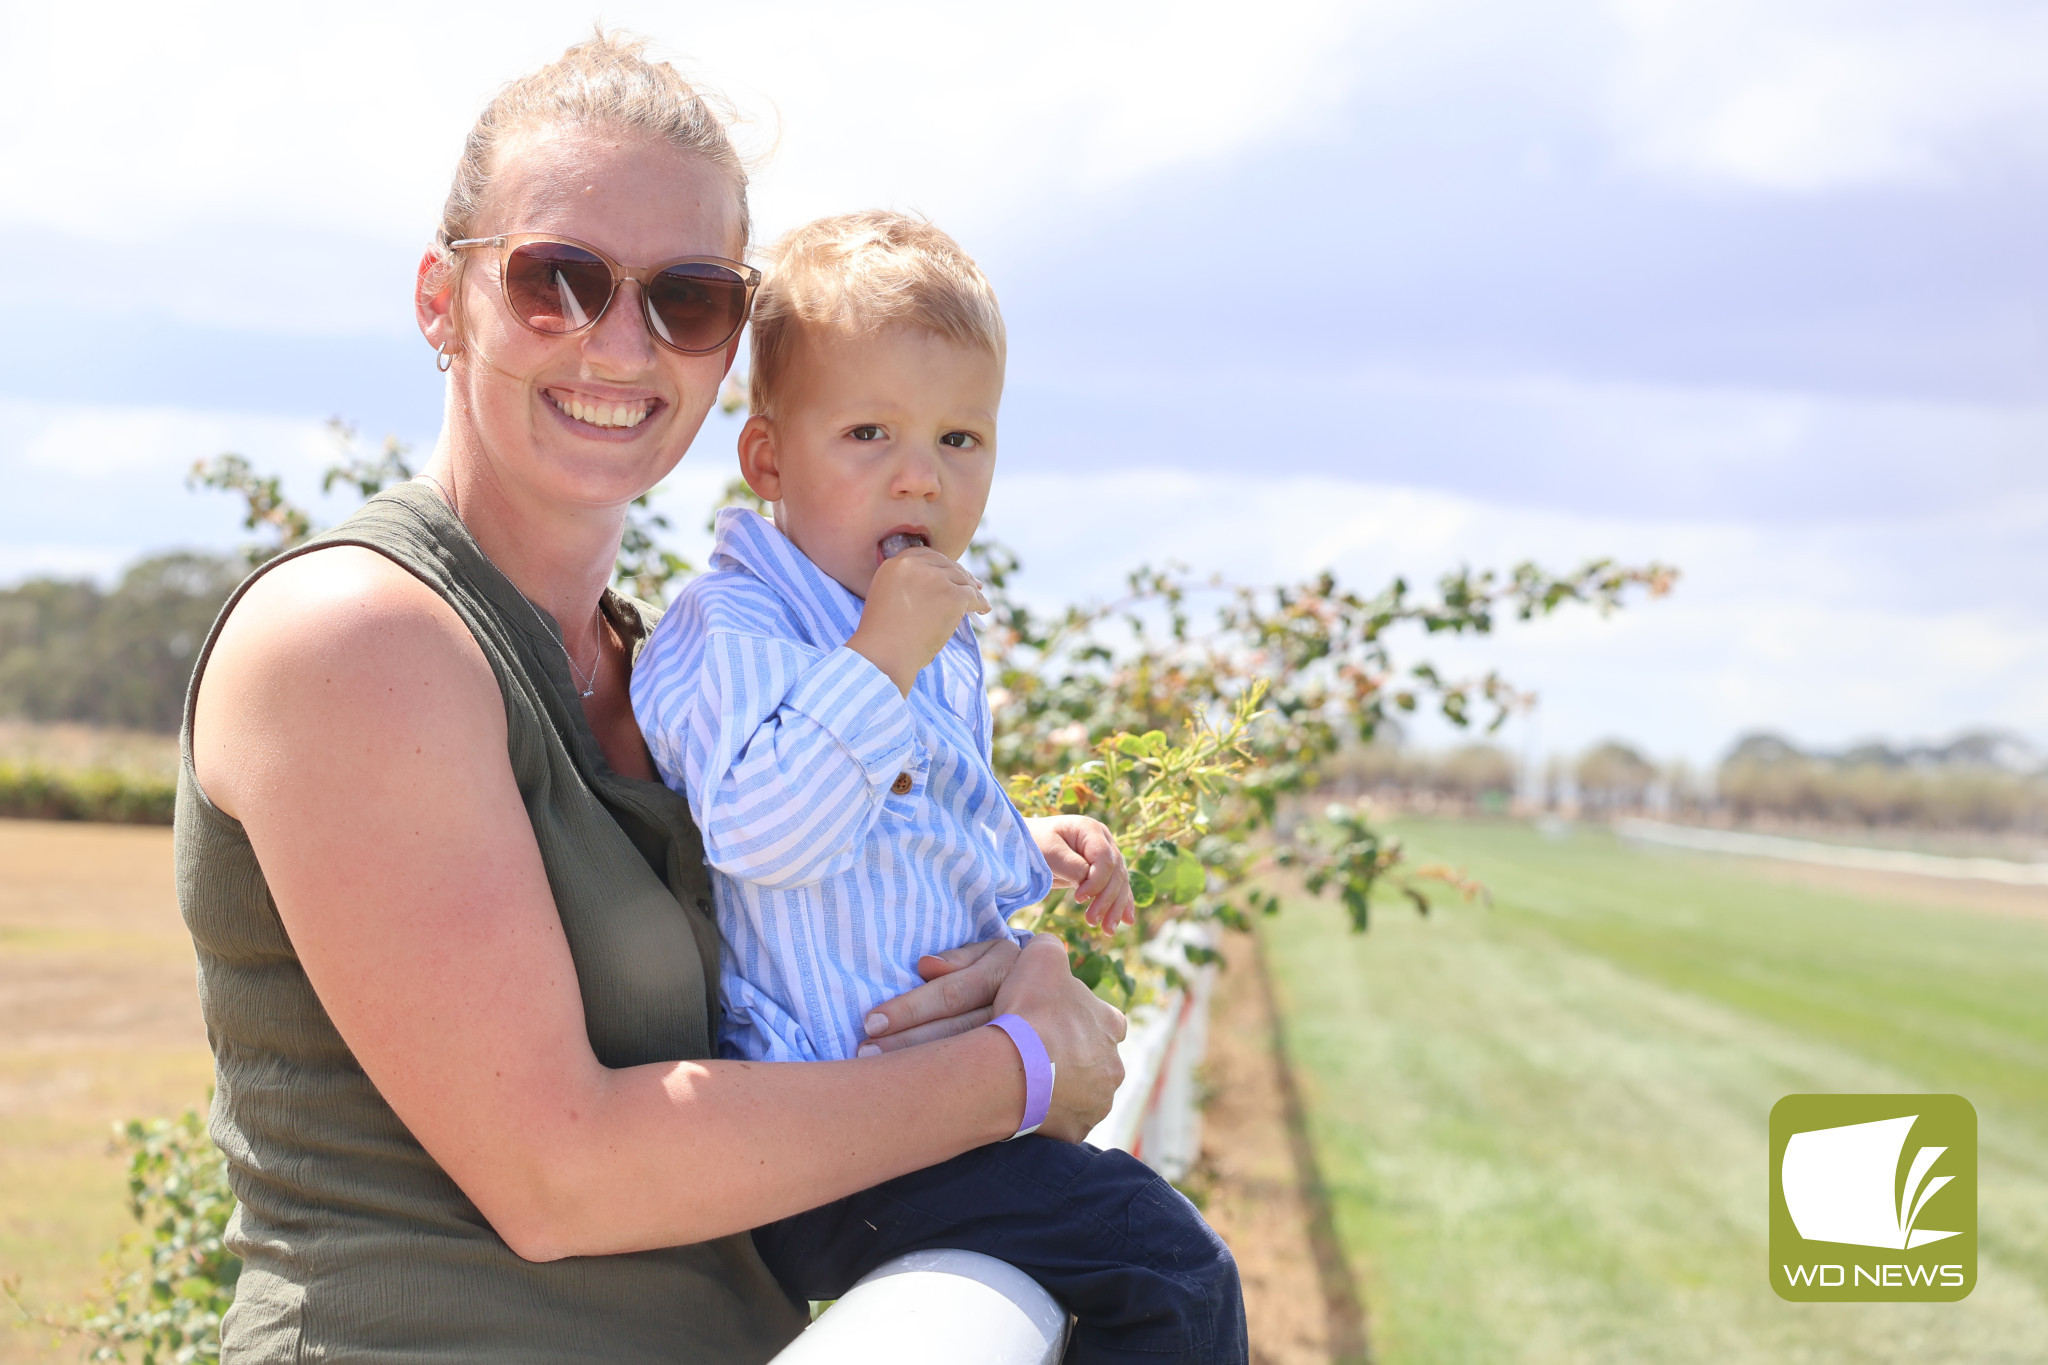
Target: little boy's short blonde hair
[859, 273]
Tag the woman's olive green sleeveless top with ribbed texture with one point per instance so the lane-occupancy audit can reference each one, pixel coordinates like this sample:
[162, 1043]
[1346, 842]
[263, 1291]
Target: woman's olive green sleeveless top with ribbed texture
[355, 1243]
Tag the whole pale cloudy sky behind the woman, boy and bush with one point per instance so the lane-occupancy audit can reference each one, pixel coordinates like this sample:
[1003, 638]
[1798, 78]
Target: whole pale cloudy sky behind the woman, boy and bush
[1756, 290]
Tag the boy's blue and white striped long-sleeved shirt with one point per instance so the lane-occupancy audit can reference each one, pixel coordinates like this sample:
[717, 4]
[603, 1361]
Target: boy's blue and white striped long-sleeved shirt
[830, 885]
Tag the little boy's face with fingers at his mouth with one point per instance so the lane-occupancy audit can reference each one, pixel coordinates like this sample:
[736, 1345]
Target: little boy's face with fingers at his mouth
[884, 435]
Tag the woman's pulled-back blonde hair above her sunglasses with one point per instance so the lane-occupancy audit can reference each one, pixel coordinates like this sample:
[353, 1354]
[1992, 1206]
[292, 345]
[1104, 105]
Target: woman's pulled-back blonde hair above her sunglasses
[601, 83]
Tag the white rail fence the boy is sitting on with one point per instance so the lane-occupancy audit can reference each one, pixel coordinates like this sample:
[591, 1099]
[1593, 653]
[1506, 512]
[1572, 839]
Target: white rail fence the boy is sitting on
[966, 1309]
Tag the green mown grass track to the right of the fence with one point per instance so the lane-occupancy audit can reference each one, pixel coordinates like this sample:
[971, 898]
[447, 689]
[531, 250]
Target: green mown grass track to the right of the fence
[1543, 1125]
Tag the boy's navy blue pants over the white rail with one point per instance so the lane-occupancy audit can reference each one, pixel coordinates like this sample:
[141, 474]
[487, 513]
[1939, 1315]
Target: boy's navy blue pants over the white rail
[1107, 1237]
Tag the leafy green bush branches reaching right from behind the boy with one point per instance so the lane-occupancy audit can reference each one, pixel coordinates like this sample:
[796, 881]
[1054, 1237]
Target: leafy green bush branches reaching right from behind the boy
[1191, 742]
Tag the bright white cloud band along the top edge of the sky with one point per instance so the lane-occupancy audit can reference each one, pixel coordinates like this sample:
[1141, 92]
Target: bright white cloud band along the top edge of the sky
[310, 148]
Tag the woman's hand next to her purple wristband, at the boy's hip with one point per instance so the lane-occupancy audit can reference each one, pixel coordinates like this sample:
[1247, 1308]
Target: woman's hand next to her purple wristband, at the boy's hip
[1080, 1034]
